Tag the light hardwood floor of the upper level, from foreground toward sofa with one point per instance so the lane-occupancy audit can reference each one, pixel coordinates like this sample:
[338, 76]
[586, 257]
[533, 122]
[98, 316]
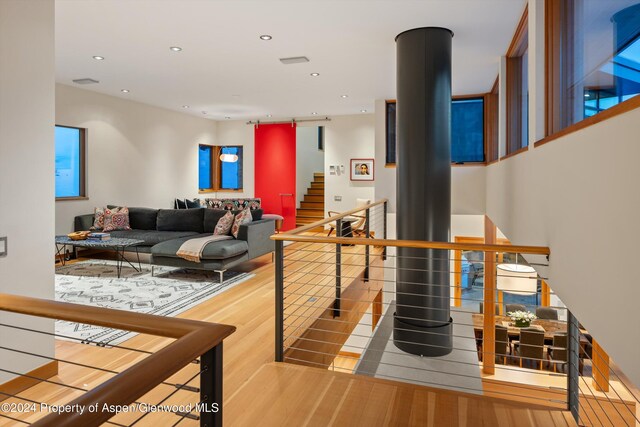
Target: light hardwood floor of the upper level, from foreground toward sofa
[258, 392]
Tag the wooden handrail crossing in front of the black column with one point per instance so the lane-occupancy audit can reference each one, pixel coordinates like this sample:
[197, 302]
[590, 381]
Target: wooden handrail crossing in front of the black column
[534, 250]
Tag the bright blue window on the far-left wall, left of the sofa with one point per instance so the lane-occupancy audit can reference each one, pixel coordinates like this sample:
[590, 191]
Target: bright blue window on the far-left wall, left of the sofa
[70, 162]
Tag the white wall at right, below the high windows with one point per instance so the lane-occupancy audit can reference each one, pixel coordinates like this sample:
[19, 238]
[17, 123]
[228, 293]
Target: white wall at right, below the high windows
[578, 195]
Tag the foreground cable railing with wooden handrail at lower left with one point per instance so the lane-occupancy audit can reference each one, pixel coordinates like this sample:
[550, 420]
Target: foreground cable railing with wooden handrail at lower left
[148, 386]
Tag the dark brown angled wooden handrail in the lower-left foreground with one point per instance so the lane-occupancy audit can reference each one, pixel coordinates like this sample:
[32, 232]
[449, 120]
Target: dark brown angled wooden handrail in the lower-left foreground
[193, 338]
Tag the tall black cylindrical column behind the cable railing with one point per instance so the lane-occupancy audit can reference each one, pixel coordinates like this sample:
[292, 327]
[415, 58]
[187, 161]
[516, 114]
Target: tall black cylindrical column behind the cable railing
[422, 323]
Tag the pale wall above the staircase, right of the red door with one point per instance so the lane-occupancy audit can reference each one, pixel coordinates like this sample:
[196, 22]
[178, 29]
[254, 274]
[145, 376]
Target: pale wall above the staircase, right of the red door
[309, 159]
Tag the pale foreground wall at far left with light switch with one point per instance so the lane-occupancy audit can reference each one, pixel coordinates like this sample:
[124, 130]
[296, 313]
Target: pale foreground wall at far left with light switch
[27, 90]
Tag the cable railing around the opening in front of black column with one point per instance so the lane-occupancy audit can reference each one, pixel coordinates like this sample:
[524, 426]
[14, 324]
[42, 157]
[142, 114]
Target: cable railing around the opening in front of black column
[351, 300]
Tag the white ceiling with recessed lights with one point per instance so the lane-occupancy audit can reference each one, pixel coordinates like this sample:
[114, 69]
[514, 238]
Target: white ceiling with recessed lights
[226, 70]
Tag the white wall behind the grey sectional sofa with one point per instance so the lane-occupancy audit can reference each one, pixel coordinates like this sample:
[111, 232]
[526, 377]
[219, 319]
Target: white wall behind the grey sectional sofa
[137, 155]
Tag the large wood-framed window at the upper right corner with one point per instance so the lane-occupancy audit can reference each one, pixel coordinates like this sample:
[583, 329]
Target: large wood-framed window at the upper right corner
[592, 58]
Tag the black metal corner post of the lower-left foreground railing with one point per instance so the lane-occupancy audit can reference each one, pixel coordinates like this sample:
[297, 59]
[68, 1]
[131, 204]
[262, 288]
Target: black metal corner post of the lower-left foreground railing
[211, 387]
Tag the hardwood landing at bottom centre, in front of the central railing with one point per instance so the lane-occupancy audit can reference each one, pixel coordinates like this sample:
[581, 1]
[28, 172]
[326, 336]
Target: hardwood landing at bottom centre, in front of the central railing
[285, 394]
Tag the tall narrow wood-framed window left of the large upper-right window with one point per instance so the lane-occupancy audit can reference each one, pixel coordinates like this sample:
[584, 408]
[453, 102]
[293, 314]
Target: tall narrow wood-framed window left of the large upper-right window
[518, 89]
